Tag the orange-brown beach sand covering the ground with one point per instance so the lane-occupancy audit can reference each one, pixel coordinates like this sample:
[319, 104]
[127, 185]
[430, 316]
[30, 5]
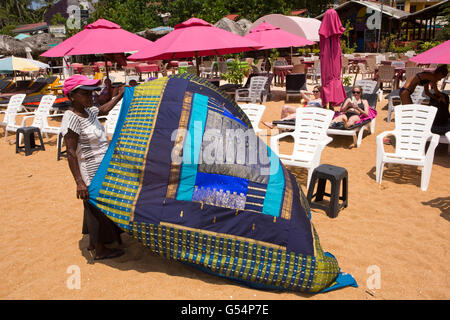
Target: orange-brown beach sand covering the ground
[394, 228]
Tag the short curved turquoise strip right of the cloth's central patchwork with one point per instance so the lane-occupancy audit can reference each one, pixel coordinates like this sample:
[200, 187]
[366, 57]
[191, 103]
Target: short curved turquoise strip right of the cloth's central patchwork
[275, 187]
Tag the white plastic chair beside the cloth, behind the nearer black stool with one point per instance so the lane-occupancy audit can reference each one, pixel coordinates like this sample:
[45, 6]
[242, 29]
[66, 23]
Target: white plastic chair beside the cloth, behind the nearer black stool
[310, 138]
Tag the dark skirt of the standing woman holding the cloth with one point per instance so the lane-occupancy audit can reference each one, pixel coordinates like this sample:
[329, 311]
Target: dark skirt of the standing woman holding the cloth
[99, 227]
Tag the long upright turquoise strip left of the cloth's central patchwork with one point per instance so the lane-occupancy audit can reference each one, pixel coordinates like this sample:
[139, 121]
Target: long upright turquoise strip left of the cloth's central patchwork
[192, 146]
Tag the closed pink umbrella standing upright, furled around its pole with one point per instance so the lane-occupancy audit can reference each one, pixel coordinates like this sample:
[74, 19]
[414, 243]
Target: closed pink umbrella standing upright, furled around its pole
[330, 32]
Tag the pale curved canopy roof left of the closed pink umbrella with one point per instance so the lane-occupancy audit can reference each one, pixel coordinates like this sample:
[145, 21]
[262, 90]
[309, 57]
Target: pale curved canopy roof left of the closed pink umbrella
[304, 27]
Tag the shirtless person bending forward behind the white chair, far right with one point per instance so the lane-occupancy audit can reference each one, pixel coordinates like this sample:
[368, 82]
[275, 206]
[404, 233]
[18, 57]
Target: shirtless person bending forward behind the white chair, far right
[422, 79]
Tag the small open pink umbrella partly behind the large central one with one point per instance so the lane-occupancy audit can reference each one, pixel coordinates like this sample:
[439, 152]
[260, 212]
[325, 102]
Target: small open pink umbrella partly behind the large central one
[271, 36]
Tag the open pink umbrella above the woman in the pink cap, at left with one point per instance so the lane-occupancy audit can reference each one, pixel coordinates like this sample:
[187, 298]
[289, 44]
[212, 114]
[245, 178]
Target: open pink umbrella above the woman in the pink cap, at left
[100, 37]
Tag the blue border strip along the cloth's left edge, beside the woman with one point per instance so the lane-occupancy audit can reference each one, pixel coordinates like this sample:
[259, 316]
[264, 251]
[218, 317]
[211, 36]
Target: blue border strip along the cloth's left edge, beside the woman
[97, 181]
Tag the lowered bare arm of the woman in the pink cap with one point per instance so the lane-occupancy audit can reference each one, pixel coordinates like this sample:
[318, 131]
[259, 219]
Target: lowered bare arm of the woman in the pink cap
[71, 140]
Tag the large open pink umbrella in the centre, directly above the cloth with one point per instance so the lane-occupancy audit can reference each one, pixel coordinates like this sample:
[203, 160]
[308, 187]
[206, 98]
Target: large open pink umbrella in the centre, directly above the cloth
[194, 38]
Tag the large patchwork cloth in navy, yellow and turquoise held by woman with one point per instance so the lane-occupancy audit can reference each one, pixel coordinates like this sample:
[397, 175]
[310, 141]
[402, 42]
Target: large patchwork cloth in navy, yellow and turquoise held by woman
[186, 176]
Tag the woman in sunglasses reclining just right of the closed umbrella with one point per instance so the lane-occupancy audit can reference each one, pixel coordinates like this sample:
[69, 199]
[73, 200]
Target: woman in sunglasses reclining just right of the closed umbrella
[352, 109]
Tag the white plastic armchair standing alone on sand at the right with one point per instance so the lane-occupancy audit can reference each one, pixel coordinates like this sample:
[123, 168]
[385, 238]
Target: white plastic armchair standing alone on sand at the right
[412, 130]
